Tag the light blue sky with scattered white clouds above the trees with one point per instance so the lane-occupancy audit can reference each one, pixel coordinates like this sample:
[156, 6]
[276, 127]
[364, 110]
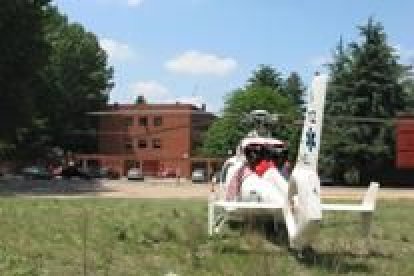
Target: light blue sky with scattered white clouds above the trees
[197, 51]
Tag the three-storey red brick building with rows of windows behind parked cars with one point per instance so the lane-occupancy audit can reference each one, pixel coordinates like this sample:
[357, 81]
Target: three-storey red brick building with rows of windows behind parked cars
[158, 138]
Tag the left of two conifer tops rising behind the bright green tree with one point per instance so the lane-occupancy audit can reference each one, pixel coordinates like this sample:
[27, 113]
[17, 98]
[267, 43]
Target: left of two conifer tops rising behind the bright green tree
[266, 76]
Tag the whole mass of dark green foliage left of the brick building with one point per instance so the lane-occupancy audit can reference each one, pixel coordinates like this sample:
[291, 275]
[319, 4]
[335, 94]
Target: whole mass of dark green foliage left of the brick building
[51, 74]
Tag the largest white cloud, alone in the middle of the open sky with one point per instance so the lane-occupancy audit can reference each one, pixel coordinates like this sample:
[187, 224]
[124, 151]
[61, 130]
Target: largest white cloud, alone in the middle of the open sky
[197, 63]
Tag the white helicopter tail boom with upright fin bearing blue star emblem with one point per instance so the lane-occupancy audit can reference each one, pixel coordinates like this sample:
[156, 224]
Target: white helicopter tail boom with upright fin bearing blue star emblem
[303, 211]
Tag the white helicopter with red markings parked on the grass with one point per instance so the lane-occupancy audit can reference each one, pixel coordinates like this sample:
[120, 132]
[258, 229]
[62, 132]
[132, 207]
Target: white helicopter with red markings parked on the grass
[295, 200]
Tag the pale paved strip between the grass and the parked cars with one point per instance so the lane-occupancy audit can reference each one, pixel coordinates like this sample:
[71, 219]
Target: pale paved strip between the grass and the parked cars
[156, 188]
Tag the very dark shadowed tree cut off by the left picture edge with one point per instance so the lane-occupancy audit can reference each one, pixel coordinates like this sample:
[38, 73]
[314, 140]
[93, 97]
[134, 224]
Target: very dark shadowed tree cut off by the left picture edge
[23, 54]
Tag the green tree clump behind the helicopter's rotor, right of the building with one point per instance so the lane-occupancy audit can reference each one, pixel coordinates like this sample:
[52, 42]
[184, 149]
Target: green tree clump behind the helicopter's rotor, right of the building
[265, 90]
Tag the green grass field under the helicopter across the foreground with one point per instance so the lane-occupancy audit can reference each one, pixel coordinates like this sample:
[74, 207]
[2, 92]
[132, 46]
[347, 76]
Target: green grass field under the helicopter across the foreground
[157, 237]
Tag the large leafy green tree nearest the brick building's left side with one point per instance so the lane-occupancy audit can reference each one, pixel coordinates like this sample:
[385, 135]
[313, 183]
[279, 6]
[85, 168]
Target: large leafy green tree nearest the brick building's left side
[76, 80]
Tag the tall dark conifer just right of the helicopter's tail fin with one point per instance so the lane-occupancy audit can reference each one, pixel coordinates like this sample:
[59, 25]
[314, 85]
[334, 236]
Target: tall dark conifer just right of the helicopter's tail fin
[366, 80]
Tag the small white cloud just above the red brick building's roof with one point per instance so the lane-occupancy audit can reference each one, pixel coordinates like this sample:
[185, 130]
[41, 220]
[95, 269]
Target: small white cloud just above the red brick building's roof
[151, 90]
